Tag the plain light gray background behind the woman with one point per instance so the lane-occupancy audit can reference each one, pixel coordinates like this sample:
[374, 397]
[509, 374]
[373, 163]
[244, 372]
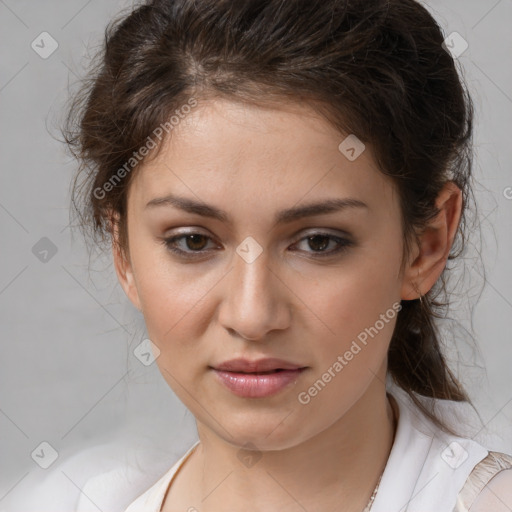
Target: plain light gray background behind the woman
[68, 375]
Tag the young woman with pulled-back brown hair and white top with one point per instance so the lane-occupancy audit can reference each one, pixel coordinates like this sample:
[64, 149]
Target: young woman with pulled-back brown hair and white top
[284, 182]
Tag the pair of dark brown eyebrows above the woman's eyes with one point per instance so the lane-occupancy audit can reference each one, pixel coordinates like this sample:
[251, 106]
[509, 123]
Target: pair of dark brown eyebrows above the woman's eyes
[329, 205]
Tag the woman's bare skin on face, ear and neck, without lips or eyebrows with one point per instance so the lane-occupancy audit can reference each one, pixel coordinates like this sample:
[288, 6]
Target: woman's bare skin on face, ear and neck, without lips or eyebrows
[289, 303]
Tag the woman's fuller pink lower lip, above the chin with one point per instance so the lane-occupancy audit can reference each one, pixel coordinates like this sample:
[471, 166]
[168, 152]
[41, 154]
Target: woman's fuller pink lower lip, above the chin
[257, 385]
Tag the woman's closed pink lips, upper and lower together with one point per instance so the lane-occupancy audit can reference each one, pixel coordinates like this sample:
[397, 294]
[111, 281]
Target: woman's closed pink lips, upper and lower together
[257, 379]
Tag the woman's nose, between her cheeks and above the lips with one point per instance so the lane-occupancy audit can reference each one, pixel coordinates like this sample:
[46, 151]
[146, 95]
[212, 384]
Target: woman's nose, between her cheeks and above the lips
[255, 299]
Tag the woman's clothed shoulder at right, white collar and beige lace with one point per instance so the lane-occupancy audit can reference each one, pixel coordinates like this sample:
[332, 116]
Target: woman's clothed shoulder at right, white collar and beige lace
[456, 467]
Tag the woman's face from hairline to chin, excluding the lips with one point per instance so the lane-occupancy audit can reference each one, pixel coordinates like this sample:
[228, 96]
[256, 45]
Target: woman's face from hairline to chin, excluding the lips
[251, 284]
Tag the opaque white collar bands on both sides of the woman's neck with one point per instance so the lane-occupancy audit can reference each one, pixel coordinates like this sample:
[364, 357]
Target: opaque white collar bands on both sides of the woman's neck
[426, 468]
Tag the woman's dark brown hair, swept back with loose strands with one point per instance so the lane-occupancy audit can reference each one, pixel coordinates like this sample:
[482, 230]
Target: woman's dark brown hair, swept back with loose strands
[376, 69]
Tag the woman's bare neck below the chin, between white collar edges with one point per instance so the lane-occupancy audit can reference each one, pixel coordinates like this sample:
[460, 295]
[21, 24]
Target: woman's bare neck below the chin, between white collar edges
[342, 464]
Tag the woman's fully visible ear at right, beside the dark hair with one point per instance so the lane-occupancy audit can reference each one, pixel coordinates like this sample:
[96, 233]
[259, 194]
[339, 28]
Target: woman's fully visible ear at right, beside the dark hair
[435, 243]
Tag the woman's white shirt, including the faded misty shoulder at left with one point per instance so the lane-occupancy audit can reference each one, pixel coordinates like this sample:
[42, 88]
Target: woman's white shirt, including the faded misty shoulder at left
[425, 471]
